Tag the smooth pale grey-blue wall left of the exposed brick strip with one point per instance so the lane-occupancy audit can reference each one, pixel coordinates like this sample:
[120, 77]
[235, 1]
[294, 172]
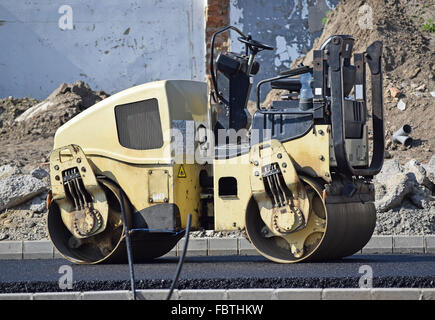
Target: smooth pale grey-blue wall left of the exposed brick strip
[110, 44]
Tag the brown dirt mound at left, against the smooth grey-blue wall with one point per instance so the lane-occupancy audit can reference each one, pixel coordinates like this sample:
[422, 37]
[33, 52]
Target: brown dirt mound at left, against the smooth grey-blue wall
[27, 126]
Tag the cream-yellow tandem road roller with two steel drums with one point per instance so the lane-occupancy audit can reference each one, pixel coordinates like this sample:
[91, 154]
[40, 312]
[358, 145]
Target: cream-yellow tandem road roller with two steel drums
[296, 176]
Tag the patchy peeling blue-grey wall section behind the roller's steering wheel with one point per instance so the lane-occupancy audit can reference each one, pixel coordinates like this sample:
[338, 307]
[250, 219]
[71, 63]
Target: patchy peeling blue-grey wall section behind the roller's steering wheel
[290, 26]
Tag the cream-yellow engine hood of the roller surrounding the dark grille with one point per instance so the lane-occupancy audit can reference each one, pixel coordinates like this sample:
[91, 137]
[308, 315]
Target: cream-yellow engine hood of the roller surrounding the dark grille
[94, 130]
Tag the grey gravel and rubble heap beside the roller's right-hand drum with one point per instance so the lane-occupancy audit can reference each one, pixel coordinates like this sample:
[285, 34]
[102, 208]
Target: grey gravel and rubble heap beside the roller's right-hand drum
[405, 198]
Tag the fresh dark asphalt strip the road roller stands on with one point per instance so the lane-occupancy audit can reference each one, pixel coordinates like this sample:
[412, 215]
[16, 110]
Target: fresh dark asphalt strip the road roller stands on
[222, 272]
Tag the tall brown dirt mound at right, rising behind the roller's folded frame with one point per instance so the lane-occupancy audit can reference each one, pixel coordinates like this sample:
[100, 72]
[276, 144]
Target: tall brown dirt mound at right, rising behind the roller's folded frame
[408, 63]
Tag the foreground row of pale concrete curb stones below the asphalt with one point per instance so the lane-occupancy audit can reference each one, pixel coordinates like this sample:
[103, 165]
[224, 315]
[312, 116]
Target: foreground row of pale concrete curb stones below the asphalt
[238, 294]
